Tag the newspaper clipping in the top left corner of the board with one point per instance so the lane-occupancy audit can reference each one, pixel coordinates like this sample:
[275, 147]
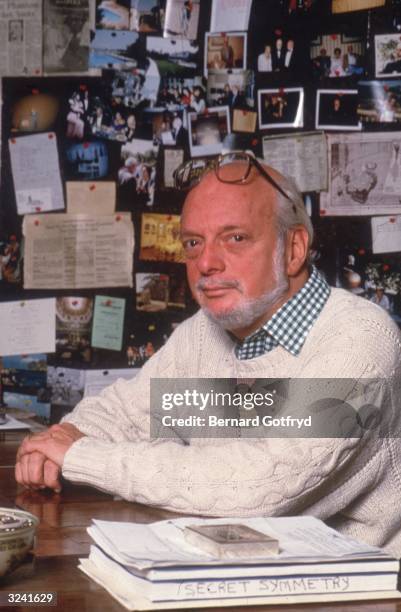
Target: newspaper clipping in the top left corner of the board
[20, 37]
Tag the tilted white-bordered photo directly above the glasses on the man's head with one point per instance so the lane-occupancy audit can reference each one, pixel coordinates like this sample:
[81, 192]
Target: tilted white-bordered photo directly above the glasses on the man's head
[207, 131]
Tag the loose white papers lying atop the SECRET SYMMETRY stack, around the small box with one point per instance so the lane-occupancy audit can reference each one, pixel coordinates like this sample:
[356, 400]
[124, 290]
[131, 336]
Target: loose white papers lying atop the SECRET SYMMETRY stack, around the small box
[163, 543]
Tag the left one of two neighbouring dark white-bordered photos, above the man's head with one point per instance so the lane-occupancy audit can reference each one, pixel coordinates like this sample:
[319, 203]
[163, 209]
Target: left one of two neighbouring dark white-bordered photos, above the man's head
[281, 108]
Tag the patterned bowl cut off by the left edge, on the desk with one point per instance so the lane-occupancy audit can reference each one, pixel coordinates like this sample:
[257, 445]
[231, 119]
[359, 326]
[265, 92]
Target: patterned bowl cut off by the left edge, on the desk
[17, 532]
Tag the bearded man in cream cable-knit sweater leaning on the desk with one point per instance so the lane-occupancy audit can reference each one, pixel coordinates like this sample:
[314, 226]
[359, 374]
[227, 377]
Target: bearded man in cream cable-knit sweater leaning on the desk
[264, 313]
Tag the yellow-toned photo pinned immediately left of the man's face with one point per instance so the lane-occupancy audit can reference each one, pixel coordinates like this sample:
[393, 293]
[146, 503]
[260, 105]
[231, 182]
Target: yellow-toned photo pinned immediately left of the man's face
[160, 238]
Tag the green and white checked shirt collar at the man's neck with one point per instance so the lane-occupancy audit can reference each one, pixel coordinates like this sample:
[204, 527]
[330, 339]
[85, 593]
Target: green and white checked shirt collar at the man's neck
[290, 325]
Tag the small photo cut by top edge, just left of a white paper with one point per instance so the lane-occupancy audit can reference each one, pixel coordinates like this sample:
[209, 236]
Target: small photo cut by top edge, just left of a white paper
[182, 18]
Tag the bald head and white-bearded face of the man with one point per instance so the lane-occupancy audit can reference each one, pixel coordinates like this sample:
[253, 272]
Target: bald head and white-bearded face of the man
[241, 267]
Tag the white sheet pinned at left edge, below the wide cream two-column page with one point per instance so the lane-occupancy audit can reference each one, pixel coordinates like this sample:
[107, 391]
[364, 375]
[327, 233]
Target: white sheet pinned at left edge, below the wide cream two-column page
[28, 326]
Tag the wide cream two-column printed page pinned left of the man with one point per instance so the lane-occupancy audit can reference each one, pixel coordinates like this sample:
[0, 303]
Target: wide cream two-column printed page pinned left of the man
[77, 251]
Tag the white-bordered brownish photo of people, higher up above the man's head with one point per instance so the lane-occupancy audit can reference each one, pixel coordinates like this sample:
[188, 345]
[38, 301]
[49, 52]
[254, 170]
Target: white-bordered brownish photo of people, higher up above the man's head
[226, 51]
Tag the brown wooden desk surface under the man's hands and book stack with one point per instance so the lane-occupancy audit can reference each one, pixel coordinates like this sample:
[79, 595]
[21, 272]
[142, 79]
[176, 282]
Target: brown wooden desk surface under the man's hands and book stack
[62, 538]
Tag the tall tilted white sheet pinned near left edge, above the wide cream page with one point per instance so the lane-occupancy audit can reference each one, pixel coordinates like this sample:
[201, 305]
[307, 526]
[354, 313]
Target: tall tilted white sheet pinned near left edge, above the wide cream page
[36, 173]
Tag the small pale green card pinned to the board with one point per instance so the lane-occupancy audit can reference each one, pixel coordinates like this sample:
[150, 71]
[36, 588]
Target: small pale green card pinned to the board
[108, 323]
